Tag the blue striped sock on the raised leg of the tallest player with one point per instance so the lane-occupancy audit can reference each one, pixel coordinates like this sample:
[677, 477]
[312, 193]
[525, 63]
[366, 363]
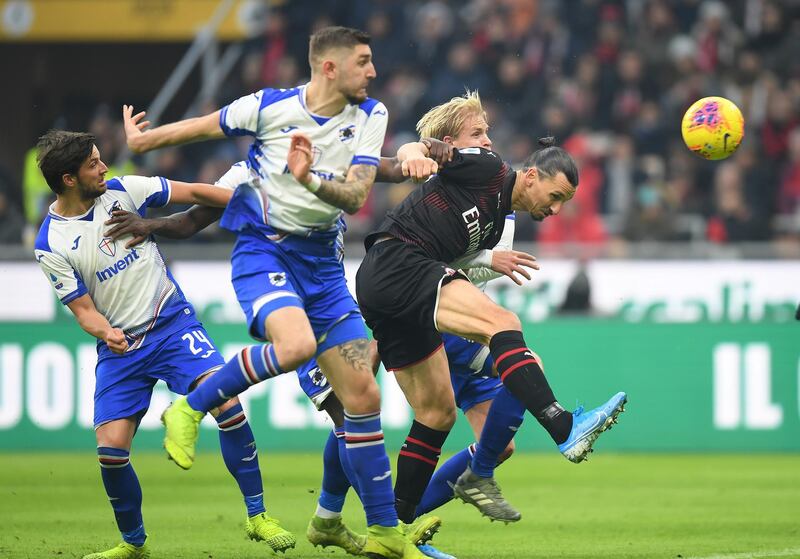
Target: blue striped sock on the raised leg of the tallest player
[252, 365]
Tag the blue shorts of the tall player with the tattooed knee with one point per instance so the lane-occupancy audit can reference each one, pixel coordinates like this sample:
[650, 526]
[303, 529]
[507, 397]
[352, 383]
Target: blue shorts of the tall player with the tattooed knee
[294, 271]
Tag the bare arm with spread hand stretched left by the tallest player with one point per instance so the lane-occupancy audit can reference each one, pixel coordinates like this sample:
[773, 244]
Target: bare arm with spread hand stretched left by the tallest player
[141, 140]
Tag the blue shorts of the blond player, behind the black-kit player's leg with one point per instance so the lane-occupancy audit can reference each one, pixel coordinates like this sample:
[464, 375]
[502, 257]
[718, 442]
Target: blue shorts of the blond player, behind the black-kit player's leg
[470, 372]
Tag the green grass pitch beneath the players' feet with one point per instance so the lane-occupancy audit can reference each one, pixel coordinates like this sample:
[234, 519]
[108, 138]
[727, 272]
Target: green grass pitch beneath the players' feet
[615, 506]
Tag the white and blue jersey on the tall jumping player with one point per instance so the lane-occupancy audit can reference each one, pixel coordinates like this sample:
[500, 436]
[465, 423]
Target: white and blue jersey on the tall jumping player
[272, 196]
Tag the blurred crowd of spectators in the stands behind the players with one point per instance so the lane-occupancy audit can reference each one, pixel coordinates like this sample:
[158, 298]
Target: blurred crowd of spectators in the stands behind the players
[609, 79]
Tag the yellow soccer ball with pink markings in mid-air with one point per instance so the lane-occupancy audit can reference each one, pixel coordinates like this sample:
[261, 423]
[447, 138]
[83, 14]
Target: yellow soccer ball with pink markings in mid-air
[713, 128]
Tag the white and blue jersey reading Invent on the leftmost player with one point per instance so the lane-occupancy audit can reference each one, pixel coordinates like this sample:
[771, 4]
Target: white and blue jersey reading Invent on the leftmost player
[132, 288]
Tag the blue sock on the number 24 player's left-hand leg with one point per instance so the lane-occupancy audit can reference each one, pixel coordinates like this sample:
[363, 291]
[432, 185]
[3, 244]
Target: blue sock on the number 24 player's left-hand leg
[124, 492]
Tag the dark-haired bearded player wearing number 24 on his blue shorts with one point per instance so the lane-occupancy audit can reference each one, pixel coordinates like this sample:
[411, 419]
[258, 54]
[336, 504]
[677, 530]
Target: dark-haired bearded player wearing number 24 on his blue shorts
[146, 330]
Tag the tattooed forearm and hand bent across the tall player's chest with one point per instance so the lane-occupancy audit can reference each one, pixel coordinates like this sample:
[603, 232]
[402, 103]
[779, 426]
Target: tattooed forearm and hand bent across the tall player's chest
[348, 195]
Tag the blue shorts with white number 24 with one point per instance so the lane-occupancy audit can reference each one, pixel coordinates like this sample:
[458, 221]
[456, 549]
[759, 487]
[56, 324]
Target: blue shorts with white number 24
[124, 383]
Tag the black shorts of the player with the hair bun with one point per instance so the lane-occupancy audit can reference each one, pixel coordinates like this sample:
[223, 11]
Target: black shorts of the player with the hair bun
[397, 287]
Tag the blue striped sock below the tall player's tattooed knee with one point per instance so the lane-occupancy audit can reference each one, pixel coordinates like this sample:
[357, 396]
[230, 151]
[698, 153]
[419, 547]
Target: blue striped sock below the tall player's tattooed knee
[372, 474]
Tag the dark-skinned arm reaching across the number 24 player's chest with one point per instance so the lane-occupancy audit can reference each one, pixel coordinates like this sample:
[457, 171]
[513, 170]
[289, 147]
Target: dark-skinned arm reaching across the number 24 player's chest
[181, 225]
